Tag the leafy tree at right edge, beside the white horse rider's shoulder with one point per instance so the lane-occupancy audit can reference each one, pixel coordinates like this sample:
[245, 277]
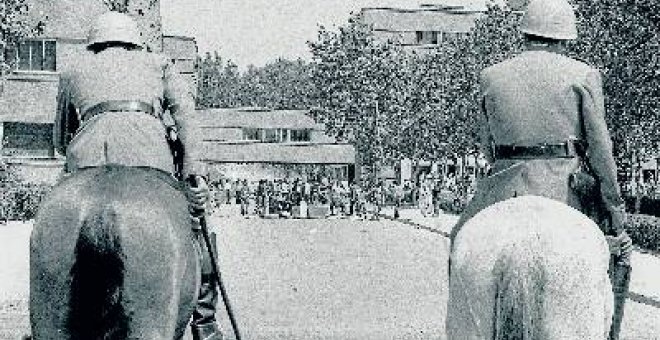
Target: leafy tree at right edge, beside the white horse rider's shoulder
[620, 37]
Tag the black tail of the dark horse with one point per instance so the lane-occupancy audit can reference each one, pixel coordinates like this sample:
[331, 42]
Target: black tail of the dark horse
[97, 279]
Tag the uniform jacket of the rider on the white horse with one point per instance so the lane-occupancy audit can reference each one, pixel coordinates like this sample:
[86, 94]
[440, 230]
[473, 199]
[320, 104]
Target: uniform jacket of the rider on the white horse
[539, 97]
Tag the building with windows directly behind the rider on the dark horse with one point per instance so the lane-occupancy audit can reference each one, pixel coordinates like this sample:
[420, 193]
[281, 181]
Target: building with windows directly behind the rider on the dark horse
[28, 96]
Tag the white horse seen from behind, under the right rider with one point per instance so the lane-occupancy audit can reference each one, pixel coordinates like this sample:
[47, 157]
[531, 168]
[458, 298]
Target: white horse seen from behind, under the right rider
[529, 268]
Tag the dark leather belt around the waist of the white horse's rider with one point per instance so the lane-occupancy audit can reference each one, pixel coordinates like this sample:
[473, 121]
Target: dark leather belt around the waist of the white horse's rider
[542, 151]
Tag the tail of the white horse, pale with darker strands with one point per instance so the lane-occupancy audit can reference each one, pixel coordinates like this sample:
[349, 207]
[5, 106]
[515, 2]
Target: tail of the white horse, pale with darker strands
[520, 278]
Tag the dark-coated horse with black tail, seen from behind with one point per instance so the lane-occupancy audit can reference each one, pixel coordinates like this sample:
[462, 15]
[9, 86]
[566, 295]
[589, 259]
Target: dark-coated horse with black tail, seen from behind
[112, 256]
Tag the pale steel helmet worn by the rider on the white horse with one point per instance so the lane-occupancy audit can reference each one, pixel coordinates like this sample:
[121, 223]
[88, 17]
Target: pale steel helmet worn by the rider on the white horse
[554, 19]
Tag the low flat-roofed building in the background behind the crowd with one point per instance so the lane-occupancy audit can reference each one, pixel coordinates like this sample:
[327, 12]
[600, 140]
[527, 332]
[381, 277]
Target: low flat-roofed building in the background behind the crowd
[259, 143]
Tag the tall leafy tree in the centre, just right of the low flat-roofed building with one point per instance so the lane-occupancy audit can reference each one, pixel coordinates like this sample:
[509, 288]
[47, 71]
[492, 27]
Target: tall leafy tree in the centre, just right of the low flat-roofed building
[364, 91]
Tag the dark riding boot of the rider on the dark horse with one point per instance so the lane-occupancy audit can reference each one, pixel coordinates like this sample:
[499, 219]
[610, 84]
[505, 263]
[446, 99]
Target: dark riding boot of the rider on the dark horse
[204, 325]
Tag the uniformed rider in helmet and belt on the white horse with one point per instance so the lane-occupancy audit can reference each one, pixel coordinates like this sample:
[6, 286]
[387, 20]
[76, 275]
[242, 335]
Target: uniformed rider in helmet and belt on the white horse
[543, 121]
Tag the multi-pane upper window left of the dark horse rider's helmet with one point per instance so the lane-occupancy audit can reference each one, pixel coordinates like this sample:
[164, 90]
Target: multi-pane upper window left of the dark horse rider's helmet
[37, 55]
